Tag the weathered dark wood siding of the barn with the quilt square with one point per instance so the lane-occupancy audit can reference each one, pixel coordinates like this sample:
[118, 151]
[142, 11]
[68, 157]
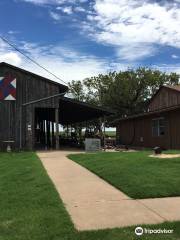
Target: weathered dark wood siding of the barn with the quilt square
[29, 88]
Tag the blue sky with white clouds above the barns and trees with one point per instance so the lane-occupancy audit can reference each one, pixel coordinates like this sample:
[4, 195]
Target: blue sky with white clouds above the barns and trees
[76, 39]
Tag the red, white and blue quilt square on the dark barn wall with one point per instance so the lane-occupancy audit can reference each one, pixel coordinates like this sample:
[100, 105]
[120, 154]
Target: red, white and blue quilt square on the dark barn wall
[7, 88]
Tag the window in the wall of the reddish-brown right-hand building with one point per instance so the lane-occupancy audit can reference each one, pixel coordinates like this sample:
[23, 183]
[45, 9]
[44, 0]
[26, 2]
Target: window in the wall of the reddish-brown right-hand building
[158, 127]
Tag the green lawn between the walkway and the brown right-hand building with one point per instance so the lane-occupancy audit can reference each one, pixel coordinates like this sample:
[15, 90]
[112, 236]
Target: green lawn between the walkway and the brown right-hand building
[135, 173]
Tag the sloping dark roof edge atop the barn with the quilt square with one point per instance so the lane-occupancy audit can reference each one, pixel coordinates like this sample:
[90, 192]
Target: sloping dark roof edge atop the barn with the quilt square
[34, 74]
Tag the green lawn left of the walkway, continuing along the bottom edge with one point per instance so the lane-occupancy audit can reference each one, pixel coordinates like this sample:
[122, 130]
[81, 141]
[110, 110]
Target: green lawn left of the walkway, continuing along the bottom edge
[30, 207]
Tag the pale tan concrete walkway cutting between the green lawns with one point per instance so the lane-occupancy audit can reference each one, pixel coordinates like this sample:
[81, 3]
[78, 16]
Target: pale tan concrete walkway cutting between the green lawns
[94, 204]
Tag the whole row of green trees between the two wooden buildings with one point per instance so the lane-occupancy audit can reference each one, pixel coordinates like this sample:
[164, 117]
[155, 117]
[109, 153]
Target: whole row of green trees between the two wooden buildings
[126, 92]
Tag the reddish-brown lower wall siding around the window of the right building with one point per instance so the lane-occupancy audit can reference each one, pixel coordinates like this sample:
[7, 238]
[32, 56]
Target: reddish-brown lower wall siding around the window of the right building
[138, 131]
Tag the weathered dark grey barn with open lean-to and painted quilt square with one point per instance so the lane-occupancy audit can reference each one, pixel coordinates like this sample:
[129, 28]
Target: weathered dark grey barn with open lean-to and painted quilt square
[32, 107]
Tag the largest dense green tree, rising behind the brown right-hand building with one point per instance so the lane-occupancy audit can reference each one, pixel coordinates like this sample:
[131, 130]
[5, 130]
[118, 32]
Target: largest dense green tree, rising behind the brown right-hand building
[131, 90]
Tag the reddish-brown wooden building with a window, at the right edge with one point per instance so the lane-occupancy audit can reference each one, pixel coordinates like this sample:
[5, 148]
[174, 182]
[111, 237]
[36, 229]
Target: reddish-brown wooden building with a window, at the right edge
[159, 126]
